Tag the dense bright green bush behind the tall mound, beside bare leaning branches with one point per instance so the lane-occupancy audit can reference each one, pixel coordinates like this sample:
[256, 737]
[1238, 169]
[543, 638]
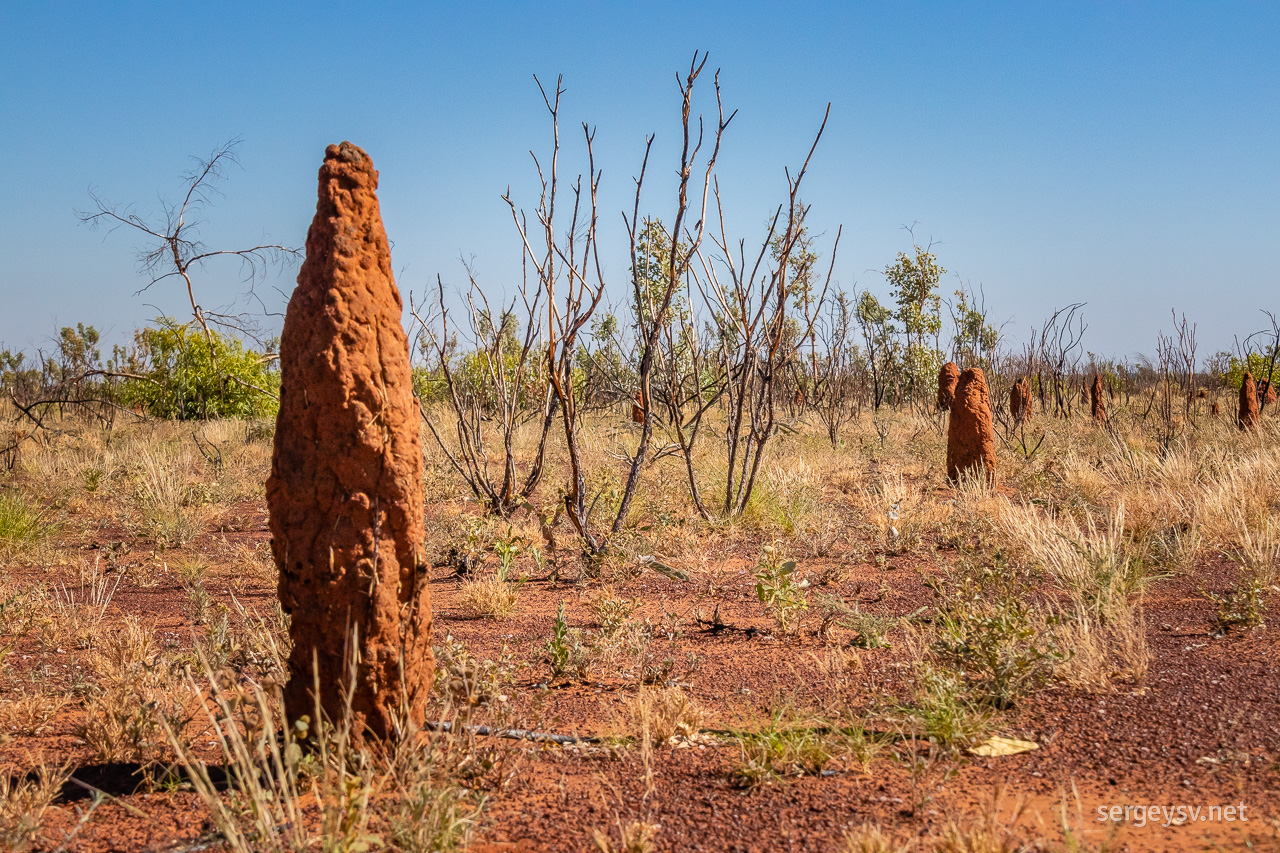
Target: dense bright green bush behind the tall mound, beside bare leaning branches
[181, 373]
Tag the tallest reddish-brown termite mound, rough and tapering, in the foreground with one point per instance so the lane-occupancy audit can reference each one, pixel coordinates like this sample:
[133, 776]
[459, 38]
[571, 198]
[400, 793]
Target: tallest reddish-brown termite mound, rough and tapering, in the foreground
[346, 487]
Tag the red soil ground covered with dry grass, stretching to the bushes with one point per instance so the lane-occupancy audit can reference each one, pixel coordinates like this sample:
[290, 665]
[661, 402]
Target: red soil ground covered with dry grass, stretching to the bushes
[824, 672]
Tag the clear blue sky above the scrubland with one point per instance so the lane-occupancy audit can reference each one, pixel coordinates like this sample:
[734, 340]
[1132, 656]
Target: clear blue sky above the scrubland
[1123, 154]
